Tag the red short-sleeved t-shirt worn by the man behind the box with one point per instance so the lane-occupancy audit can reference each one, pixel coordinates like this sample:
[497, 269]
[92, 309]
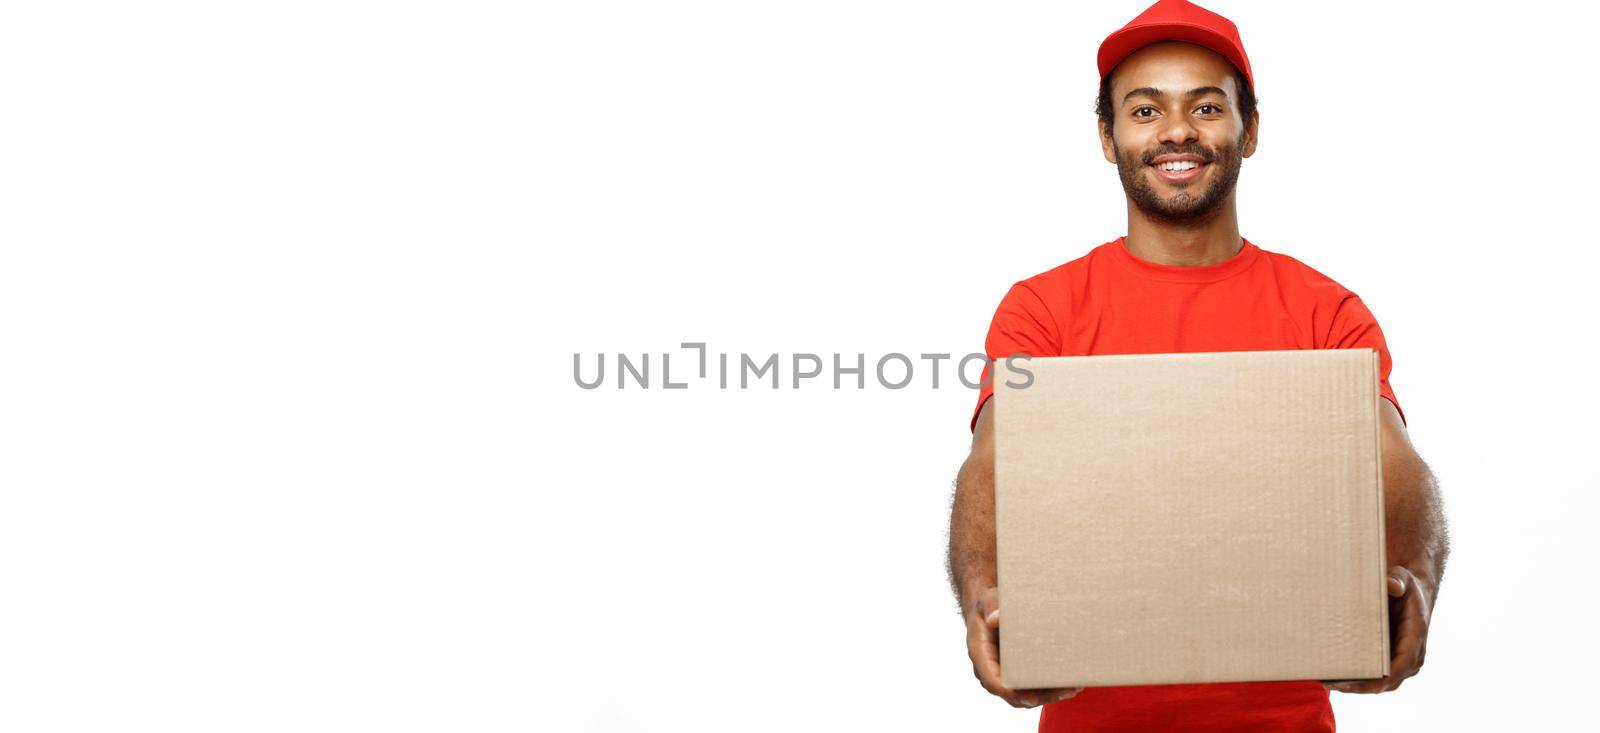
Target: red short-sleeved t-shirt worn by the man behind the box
[1111, 302]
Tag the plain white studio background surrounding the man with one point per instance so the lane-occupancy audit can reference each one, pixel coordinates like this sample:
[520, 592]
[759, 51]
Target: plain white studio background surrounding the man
[290, 295]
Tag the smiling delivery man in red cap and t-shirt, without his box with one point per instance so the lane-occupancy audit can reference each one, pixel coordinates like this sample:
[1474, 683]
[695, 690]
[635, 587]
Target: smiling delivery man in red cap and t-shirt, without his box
[1178, 116]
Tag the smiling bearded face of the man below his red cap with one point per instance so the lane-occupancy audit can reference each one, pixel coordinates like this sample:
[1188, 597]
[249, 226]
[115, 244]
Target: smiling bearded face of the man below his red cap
[1178, 137]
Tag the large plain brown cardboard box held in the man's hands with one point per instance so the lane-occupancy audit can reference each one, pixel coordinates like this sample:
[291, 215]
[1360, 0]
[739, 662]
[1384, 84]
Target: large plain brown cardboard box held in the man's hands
[1191, 518]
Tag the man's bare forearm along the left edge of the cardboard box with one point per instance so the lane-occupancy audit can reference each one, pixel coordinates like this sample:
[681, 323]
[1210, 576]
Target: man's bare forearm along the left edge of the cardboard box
[972, 561]
